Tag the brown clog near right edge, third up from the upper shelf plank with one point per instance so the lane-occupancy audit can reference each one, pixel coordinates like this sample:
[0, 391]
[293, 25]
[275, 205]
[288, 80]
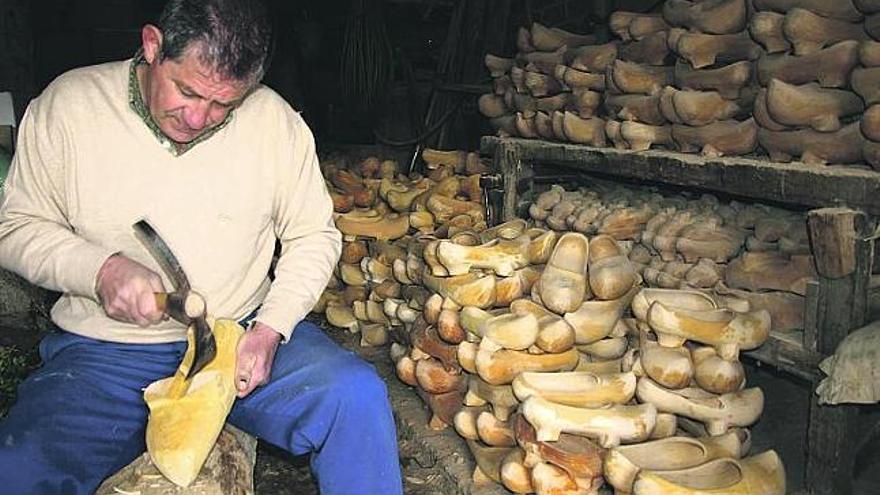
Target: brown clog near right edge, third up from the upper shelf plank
[830, 67]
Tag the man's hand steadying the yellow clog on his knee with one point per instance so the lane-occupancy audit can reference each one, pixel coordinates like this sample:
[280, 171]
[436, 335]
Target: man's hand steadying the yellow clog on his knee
[256, 352]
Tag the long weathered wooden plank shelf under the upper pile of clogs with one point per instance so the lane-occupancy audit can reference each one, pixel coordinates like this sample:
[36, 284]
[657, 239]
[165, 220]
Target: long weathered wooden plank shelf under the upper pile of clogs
[792, 183]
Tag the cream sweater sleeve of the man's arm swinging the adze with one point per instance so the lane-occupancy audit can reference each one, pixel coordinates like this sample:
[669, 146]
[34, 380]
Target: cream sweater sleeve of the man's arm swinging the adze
[36, 238]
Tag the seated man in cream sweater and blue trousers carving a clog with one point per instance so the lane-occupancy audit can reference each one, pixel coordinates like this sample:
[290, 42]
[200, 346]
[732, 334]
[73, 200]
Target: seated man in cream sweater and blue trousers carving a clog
[185, 136]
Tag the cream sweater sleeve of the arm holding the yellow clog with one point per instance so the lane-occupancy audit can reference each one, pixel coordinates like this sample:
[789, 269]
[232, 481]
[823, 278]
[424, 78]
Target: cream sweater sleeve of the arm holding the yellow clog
[310, 242]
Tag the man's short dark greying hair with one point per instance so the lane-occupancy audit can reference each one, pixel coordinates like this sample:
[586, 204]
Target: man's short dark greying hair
[232, 36]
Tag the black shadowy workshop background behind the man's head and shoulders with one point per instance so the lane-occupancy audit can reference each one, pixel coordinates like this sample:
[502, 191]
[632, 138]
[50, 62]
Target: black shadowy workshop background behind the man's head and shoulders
[433, 56]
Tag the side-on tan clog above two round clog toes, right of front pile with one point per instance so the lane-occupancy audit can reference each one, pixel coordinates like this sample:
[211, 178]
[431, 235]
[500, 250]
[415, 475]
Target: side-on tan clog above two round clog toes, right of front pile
[726, 330]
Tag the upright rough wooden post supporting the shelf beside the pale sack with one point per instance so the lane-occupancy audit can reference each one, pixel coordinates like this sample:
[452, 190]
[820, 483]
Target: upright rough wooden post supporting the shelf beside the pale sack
[843, 262]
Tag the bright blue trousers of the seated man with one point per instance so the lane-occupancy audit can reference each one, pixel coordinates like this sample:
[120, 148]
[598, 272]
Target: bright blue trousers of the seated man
[81, 416]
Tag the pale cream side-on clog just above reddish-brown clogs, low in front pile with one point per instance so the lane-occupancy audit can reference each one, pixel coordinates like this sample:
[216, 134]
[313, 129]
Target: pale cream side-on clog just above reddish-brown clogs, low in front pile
[609, 425]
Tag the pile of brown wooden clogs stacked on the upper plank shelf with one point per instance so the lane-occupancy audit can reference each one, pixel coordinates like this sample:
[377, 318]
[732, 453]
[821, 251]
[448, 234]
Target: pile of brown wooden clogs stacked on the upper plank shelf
[792, 80]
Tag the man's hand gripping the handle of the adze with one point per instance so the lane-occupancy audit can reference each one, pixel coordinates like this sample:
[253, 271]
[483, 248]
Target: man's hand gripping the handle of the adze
[125, 288]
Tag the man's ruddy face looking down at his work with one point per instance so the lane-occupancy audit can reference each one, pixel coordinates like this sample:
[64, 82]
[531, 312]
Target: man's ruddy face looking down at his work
[185, 97]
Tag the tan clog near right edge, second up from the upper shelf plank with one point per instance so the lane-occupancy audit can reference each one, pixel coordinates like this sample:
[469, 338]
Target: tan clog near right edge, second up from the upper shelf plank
[810, 105]
